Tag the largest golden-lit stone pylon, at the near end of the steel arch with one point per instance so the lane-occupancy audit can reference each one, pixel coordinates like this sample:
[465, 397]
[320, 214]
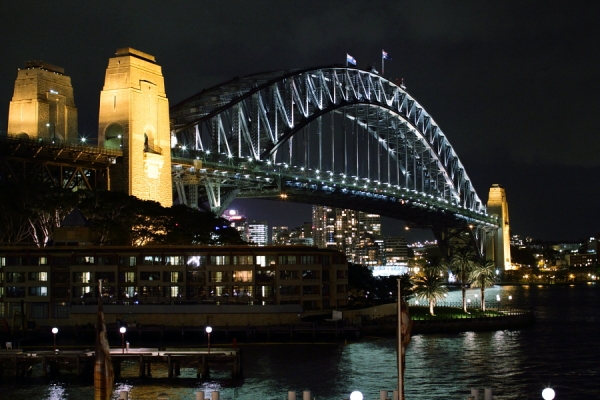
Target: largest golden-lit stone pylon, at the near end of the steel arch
[134, 116]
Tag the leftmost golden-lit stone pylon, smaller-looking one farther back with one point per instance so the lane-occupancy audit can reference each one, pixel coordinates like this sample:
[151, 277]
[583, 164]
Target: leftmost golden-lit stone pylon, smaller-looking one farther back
[42, 105]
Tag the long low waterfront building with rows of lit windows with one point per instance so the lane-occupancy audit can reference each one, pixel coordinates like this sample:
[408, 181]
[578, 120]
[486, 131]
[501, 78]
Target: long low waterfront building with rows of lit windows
[60, 284]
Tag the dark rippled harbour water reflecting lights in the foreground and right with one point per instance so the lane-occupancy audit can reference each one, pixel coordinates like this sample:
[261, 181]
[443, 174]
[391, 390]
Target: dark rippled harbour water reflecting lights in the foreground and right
[560, 351]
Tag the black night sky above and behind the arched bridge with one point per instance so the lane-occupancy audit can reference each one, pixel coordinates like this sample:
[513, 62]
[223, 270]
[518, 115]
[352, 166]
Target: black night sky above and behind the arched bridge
[514, 85]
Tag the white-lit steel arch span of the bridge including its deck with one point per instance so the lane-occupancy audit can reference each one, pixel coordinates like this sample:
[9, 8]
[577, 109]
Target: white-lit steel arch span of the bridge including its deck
[335, 132]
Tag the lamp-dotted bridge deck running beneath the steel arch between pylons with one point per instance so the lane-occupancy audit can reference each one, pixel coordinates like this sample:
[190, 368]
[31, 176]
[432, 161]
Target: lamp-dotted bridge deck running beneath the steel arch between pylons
[258, 179]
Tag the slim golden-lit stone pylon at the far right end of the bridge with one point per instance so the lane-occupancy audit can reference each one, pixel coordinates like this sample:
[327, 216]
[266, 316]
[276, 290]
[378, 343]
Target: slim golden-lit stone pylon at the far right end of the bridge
[498, 206]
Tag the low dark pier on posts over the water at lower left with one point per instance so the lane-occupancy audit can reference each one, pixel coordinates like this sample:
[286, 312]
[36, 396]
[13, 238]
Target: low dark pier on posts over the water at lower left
[19, 363]
